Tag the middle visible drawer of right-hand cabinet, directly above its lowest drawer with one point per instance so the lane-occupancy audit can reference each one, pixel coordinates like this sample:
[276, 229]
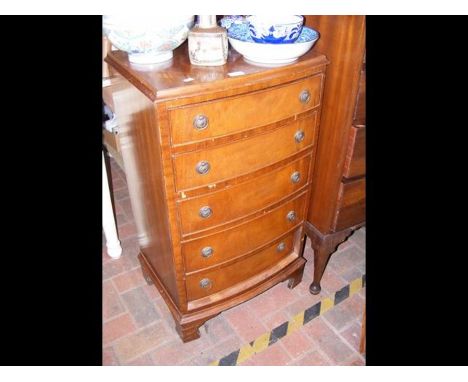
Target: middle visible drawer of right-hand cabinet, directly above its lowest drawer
[355, 163]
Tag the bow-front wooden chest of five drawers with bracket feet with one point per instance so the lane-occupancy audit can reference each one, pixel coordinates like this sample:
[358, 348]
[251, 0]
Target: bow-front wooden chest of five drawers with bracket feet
[219, 164]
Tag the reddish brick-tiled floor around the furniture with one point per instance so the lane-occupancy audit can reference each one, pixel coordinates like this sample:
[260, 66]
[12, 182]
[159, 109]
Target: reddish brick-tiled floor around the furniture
[139, 330]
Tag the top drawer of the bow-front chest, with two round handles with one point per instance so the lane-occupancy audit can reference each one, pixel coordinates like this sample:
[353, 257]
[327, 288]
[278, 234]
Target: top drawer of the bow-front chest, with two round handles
[234, 114]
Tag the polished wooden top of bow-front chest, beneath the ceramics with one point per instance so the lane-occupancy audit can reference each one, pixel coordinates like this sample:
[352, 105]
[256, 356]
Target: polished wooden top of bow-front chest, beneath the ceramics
[178, 77]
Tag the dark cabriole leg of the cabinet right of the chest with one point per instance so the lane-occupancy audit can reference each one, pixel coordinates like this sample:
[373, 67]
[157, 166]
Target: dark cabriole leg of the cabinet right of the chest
[323, 246]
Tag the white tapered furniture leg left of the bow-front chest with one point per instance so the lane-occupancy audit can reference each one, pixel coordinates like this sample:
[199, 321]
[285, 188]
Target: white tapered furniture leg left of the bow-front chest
[114, 249]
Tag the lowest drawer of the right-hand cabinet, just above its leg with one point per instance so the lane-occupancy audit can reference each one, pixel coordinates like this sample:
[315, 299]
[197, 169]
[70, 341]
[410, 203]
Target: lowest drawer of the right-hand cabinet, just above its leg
[352, 204]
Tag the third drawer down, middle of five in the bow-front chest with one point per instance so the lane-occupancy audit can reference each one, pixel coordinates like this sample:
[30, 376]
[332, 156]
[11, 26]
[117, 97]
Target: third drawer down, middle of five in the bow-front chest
[244, 198]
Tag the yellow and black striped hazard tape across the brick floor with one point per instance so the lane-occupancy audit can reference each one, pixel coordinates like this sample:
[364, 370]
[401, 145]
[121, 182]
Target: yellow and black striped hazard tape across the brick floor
[288, 327]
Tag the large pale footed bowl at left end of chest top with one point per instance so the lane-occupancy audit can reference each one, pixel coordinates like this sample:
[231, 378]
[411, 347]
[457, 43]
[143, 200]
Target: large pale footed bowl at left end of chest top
[148, 39]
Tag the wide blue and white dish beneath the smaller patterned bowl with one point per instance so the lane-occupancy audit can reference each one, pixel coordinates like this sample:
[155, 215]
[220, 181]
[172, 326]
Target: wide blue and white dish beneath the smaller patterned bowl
[271, 54]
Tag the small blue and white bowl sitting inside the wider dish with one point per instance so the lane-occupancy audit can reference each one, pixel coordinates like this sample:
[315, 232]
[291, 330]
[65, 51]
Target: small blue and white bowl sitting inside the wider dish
[275, 29]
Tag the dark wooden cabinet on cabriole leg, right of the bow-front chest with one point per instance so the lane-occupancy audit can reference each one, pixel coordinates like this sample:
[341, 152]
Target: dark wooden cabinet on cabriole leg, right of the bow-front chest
[337, 205]
